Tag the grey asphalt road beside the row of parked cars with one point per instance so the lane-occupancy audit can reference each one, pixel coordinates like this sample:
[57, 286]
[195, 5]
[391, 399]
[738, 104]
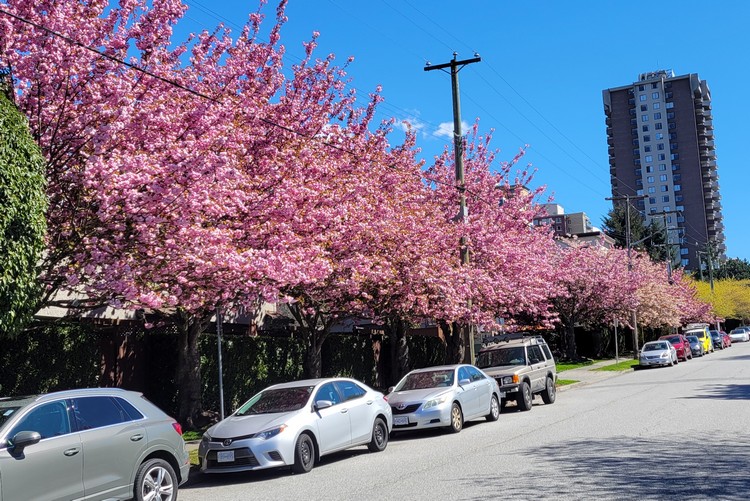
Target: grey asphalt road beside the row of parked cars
[668, 433]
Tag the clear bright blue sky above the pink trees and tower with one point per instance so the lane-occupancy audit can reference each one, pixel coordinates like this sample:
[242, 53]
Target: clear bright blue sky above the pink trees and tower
[544, 66]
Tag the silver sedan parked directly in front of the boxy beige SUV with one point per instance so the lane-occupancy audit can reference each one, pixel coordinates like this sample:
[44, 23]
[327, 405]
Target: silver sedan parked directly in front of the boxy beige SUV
[445, 396]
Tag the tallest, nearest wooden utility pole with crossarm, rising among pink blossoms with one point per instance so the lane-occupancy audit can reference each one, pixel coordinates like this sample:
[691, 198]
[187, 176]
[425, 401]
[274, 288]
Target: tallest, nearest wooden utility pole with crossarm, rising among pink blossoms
[458, 149]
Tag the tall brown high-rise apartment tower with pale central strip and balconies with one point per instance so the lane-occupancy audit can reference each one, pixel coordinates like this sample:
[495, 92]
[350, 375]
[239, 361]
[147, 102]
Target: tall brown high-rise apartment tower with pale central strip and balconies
[661, 147]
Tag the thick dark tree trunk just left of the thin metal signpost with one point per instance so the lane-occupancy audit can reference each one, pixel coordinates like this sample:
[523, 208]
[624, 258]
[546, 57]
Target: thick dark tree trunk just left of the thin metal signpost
[190, 408]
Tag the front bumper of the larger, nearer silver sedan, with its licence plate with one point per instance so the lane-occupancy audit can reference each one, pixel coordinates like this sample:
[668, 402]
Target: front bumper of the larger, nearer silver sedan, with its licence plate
[245, 455]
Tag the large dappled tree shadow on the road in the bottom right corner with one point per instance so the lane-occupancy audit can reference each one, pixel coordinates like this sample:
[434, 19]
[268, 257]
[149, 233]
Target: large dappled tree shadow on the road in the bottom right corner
[627, 468]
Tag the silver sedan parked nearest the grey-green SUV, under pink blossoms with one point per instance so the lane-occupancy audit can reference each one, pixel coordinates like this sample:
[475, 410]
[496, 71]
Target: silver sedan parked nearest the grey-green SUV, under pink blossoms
[295, 424]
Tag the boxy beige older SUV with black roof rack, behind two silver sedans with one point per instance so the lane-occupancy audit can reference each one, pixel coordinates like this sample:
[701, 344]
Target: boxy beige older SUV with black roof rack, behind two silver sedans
[523, 366]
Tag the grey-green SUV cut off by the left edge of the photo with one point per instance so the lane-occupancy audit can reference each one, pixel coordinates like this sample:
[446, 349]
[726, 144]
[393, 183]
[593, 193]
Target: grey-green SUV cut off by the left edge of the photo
[101, 443]
